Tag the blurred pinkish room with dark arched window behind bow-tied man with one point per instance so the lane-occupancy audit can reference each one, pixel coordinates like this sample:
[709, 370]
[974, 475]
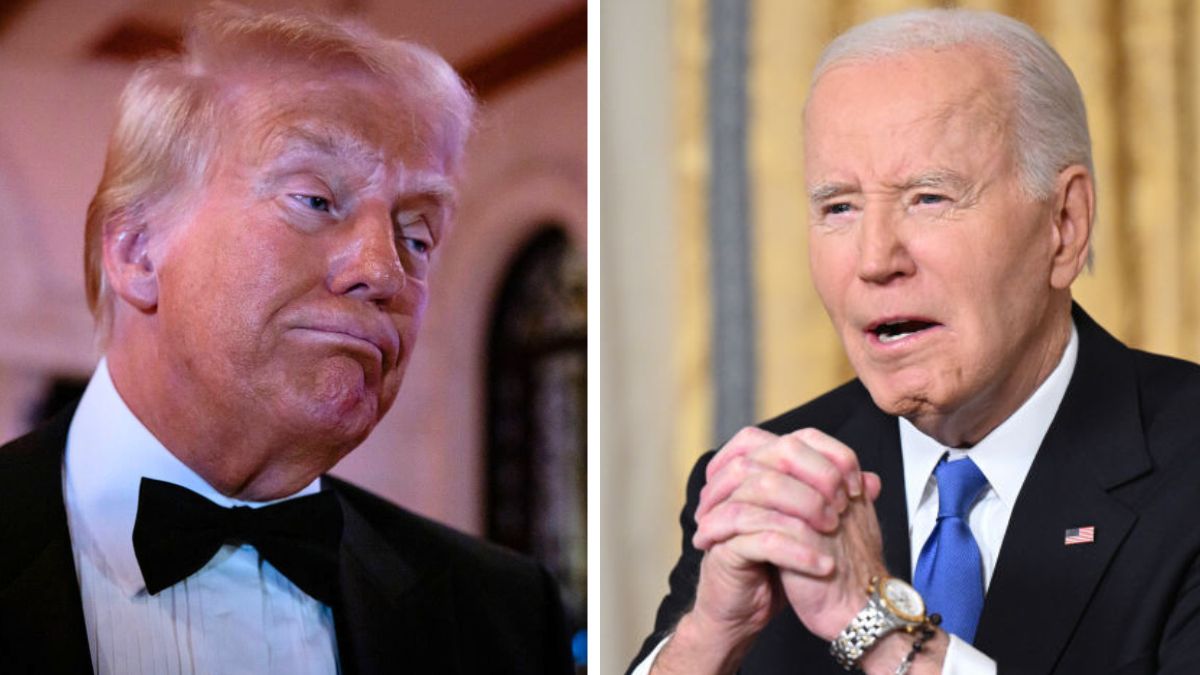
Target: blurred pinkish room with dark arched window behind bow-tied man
[488, 434]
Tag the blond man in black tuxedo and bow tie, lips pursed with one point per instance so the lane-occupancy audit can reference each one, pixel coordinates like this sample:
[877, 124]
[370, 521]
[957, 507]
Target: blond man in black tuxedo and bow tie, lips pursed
[257, 259]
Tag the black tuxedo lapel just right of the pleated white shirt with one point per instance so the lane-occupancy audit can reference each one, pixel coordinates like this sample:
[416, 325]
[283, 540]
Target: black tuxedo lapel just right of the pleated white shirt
[394, 616]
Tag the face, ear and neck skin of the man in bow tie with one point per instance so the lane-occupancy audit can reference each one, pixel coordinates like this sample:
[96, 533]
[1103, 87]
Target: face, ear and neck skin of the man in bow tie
[268, 319]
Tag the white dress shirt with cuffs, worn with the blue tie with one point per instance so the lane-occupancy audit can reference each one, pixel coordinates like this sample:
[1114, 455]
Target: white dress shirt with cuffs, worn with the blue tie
[1005, 458]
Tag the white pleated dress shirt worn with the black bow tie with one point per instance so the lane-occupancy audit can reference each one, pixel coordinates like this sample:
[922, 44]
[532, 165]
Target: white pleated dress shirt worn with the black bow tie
[238, 614]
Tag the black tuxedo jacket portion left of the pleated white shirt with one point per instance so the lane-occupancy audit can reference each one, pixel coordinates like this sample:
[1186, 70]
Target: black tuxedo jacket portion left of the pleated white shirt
[41, 616]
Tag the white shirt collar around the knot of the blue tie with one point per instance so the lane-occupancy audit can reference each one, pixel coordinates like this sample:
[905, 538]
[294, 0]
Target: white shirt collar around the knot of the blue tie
[1006, 455]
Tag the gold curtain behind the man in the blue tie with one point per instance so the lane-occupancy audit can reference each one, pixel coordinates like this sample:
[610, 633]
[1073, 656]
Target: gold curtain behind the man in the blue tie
[1137, 64]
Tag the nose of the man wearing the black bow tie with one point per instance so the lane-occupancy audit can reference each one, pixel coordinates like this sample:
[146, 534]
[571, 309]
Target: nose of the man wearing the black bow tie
[367, 265]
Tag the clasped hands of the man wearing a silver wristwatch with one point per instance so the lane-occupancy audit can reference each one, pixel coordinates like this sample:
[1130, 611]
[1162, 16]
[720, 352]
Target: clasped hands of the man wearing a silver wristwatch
[787, 519]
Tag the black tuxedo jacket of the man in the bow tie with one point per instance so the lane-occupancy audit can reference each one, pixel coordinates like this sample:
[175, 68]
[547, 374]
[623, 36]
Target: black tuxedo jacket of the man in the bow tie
[418, 598]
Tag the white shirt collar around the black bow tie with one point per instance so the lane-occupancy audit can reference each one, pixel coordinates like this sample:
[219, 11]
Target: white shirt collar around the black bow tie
[109, 452]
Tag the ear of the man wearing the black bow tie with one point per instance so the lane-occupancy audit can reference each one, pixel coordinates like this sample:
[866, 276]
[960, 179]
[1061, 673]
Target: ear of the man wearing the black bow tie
[128, 262]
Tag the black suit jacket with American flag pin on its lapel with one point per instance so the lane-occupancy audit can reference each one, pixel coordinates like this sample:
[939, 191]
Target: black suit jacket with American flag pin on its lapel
[1123, 456]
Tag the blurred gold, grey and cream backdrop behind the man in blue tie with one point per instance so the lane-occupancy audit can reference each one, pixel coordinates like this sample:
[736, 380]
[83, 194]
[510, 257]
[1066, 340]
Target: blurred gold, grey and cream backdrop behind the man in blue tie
[710, 319]
